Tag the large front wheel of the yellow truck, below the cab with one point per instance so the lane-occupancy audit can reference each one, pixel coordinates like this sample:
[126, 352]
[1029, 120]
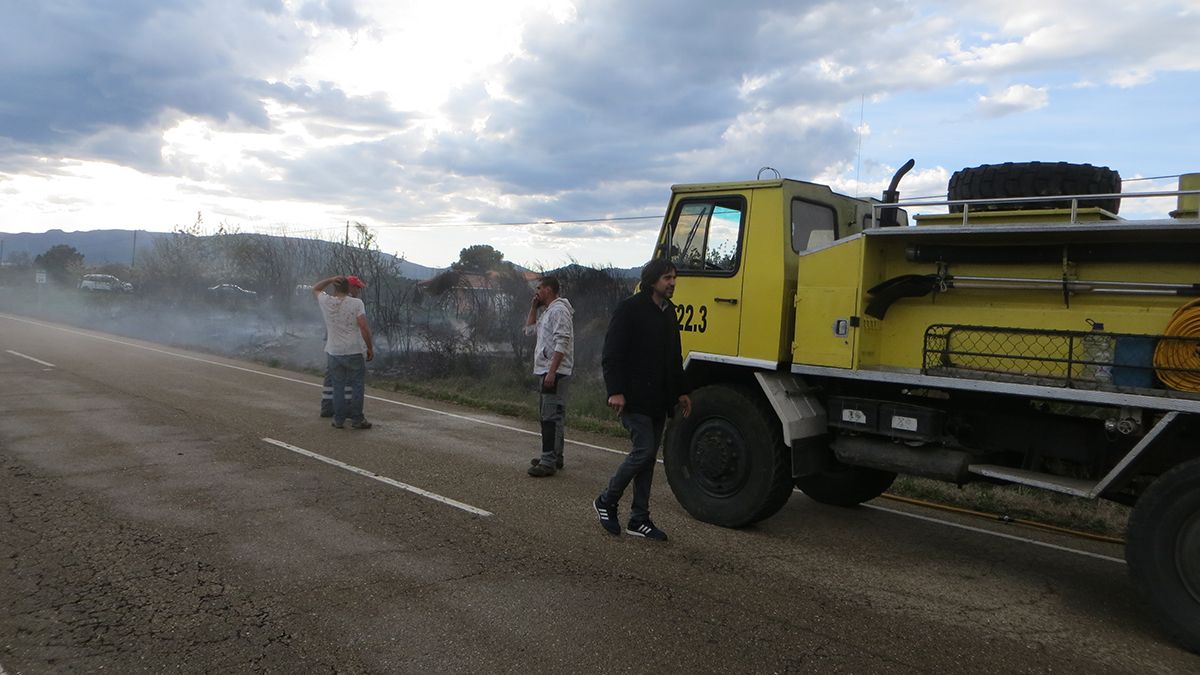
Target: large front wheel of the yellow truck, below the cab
[727, 462]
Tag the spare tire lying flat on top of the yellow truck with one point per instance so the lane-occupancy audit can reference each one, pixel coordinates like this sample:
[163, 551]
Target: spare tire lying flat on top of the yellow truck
[1034, 180]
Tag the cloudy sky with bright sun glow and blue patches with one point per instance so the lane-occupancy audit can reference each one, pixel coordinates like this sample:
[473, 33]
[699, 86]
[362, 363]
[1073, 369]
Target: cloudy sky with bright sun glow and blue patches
[554, 129]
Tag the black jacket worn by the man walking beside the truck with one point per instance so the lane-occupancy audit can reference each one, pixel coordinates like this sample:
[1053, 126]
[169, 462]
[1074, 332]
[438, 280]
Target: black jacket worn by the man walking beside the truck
[643, 357]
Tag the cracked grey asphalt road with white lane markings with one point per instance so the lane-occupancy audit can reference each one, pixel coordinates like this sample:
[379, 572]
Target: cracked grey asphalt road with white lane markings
[158, 515]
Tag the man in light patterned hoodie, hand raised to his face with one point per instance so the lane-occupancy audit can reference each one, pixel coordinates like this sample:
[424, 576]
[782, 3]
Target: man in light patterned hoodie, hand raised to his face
[551, 319]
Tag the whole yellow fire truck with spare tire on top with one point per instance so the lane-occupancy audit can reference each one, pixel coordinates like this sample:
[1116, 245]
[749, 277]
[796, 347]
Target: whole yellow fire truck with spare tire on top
[1024, 334]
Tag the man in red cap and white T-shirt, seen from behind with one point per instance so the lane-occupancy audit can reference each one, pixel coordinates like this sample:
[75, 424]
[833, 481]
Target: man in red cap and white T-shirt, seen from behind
[347, 338]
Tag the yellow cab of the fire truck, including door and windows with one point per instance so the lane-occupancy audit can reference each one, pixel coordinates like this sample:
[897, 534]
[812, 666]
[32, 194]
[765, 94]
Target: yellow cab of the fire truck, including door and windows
[736, 248]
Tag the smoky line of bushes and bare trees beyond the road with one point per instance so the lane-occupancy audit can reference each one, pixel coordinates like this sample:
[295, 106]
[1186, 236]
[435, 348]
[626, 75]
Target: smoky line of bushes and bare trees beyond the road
[466, 320]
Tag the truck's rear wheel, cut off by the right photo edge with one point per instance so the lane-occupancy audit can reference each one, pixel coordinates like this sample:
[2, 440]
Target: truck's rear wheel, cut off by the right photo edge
[1163, 551]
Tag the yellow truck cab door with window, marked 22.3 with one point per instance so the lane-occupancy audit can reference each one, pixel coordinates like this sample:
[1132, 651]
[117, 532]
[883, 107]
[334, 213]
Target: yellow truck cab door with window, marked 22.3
[704, 240]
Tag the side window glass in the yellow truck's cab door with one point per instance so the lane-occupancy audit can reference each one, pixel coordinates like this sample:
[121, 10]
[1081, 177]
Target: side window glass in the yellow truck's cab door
[706, 236]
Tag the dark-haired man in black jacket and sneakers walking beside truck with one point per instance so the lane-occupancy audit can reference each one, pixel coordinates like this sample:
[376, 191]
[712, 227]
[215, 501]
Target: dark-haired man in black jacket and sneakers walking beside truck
[644, 375]
